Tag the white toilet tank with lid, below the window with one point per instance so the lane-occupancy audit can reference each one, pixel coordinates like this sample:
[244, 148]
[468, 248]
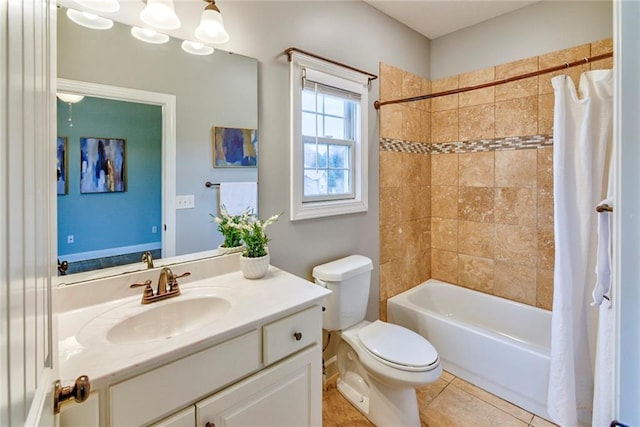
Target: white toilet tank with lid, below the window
[349, 280]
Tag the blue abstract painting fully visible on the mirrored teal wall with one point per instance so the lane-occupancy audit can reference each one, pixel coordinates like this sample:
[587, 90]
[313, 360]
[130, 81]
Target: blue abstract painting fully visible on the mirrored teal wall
[102, 165]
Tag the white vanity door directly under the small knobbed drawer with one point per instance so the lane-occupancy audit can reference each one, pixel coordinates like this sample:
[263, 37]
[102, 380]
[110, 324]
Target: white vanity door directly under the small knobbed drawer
[286, 394]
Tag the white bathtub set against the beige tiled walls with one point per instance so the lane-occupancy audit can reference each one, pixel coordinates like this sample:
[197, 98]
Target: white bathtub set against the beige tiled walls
[499, 345]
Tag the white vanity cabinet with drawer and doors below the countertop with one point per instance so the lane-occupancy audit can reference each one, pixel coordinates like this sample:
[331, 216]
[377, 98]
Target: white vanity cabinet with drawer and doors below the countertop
[269, 376]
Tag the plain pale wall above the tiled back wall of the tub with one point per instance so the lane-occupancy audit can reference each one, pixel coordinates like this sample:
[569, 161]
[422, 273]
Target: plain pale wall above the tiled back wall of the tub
[541, 28]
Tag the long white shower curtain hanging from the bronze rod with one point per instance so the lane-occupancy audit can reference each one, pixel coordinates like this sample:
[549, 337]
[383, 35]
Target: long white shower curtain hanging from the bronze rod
[582, 142]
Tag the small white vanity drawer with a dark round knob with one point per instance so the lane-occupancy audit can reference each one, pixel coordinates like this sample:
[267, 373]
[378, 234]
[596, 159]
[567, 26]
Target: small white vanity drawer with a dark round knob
[286, 336]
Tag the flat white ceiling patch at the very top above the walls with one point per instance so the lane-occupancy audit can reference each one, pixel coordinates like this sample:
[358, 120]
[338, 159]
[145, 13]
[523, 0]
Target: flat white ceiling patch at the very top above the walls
[436, 18]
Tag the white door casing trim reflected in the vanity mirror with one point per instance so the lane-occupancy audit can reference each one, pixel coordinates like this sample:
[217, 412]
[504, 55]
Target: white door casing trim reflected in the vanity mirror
[168, 104]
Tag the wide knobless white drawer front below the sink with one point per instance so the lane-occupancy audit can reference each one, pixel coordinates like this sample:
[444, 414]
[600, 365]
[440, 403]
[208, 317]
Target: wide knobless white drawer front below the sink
[166, 389]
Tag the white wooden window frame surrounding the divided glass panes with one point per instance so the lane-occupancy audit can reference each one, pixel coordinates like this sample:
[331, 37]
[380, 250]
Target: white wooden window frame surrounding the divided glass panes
[346, 79]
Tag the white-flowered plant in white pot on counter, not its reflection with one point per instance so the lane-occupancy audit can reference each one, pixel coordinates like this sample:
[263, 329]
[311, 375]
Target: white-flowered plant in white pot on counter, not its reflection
[254, 260]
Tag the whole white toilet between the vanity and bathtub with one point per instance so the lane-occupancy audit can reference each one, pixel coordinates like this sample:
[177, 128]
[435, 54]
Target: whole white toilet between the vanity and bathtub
[379, 363]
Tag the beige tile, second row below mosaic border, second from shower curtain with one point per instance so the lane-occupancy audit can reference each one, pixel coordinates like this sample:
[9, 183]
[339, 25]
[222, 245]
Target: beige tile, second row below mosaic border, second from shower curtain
[516, 206]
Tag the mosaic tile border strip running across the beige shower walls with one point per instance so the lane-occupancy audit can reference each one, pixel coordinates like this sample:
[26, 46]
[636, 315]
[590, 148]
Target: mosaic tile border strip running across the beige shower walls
[473, 146]
